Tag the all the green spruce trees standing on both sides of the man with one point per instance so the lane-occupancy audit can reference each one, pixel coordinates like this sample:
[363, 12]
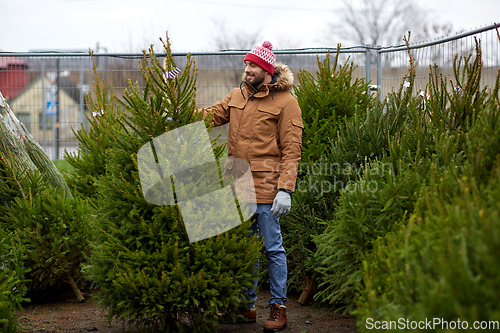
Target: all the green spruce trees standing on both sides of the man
[401, 221]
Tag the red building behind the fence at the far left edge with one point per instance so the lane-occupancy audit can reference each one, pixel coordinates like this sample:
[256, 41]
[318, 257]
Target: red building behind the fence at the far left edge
[12, 76]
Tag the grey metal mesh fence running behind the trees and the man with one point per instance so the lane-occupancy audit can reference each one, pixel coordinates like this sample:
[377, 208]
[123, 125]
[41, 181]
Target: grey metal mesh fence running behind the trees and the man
[46, 90]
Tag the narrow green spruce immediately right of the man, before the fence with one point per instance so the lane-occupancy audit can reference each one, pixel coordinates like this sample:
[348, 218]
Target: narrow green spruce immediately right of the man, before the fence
[328, 100]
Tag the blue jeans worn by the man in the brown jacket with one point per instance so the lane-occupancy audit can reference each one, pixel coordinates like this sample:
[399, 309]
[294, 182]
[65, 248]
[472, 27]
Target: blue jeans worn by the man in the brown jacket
[269, 228]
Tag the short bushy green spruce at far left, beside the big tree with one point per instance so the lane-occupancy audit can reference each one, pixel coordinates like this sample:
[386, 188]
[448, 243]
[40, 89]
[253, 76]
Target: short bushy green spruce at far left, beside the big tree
[54, 230]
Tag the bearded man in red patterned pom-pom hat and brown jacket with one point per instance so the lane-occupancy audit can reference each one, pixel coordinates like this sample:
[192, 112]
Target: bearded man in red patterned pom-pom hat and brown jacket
[265, 130]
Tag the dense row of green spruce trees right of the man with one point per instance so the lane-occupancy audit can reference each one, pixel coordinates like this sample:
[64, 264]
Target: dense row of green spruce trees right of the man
[402, 220]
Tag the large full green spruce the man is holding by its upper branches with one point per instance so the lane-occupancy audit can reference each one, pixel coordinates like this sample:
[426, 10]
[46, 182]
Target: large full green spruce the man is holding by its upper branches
[148, 269]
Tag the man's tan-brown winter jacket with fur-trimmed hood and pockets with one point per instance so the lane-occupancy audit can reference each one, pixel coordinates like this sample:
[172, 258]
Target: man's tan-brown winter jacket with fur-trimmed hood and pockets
[265, 130]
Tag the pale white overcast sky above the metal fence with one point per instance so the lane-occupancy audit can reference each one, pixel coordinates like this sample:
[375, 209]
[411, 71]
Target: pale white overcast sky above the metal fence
[130, 25]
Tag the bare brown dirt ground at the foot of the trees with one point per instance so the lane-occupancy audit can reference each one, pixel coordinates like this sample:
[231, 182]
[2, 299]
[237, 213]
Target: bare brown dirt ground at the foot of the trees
[67, 315]
